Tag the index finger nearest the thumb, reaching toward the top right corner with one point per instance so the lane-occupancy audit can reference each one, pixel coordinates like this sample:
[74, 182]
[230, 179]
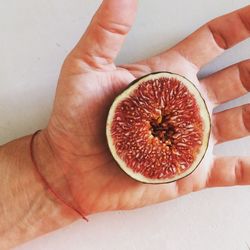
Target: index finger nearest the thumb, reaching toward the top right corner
[213, 38]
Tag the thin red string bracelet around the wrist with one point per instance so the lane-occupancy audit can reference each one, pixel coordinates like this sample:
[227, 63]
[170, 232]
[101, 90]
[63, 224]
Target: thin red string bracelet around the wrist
[46, 182]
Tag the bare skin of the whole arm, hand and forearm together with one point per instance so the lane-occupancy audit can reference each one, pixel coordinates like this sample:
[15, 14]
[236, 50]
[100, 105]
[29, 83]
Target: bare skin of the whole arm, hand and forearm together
[72, 152]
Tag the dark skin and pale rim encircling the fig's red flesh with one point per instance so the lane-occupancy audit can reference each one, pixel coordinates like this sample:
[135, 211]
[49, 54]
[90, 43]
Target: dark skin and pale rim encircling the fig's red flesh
[186, 173]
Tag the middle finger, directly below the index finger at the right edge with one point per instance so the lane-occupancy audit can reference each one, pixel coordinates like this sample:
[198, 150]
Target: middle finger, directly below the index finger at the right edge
[229, 83]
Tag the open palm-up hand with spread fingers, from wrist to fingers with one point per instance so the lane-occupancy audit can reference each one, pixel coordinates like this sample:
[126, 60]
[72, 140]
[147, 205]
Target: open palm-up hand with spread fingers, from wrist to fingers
[89, 82]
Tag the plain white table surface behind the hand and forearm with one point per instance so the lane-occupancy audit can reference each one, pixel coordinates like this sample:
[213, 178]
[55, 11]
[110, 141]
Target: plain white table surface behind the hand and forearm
[35, 36]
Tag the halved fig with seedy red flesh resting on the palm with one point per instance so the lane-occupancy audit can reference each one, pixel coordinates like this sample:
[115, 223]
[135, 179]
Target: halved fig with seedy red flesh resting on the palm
[158, 129]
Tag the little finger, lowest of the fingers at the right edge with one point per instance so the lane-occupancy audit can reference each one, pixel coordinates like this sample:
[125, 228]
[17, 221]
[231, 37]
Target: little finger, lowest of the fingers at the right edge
[229, 171]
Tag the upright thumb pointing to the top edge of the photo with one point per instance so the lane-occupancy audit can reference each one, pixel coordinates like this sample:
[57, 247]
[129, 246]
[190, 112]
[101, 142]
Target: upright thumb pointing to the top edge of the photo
[104, 37]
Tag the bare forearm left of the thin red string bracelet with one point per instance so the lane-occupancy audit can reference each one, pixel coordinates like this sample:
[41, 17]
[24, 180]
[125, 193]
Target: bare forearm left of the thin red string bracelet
[27, 208]
